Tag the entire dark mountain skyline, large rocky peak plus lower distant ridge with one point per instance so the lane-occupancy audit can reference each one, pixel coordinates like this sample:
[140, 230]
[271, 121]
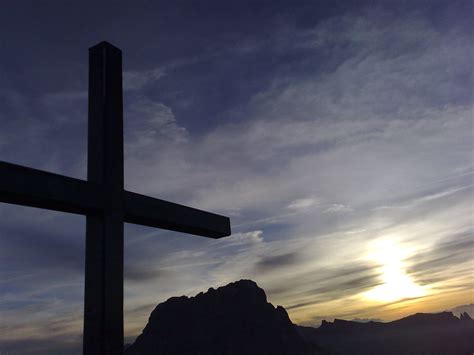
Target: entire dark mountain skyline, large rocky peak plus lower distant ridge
[237, 320]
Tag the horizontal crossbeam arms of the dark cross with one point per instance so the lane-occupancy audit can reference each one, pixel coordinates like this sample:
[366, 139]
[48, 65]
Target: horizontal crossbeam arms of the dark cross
[35, 188]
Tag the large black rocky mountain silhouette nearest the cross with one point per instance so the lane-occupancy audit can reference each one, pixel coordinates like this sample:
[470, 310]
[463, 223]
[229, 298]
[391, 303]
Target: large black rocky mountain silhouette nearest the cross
[234, 319]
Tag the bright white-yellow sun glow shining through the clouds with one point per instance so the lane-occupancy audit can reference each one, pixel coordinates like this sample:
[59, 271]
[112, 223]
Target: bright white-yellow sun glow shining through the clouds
[396, 283]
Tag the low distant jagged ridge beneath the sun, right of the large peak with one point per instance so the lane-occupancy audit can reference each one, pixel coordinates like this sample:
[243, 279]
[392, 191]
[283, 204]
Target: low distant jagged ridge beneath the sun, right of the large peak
[421, 333]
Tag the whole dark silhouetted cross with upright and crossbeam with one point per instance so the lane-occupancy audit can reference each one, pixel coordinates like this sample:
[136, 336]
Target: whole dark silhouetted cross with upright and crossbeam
[105, 203]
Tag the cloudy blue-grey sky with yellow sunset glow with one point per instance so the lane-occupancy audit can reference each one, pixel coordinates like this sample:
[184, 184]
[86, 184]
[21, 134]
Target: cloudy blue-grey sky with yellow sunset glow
[338, 137]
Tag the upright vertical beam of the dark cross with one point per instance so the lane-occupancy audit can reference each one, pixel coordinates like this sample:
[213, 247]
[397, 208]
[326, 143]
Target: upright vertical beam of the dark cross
[103, 300]
